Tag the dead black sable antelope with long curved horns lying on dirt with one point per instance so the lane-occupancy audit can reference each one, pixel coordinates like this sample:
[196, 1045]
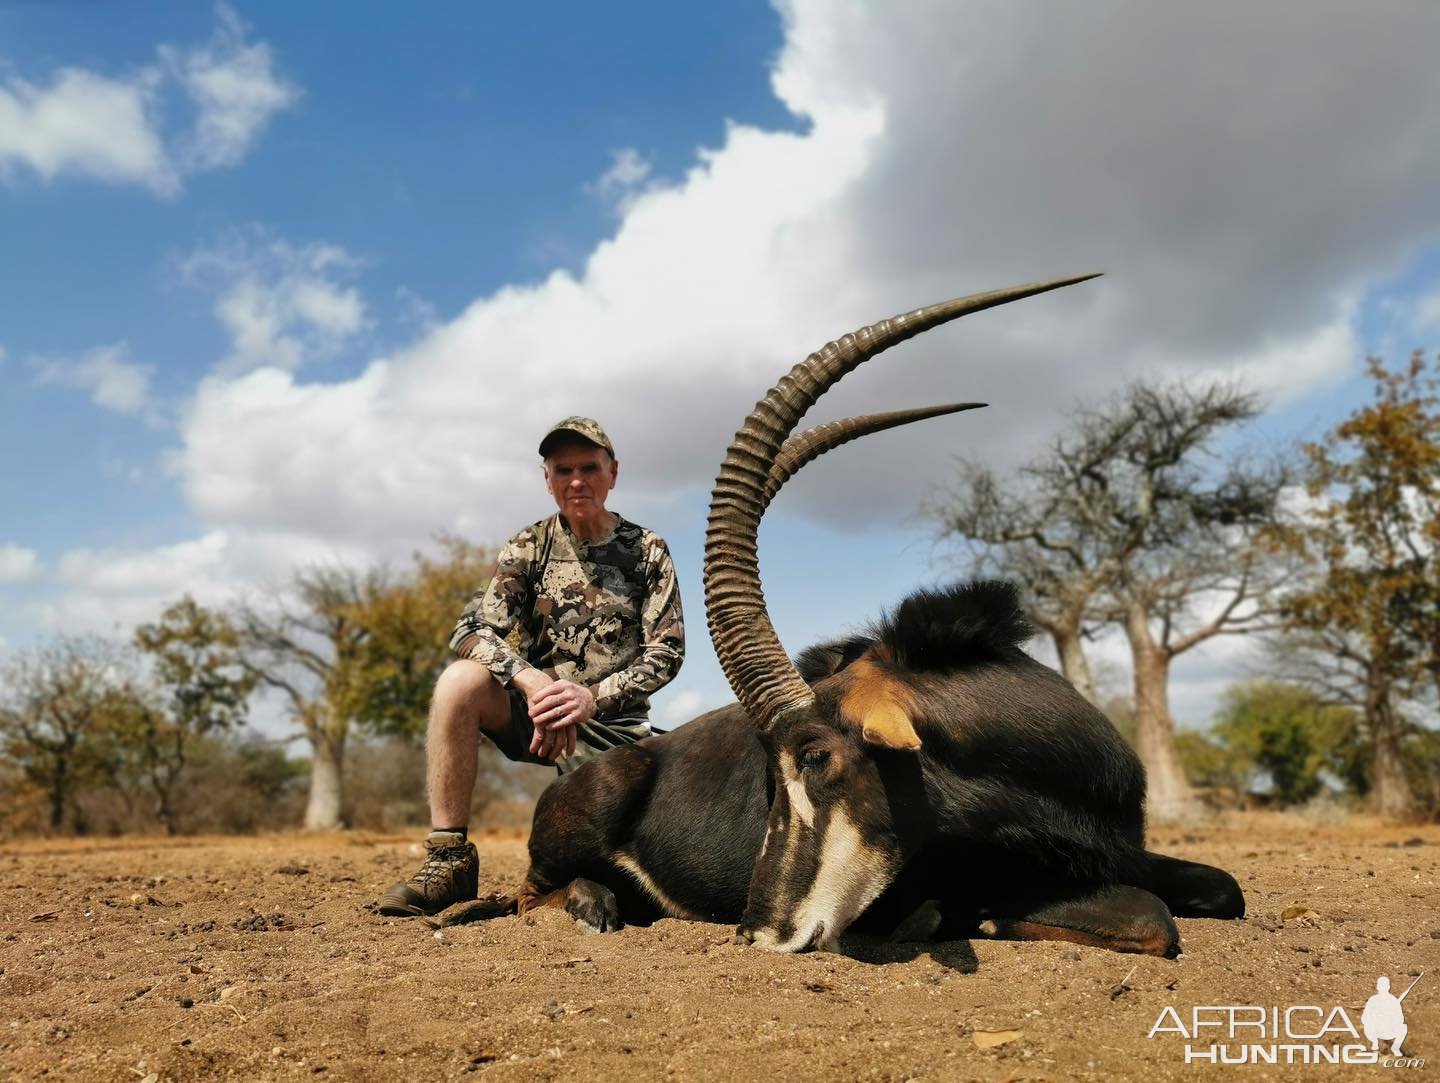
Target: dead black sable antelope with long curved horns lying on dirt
[928, 776]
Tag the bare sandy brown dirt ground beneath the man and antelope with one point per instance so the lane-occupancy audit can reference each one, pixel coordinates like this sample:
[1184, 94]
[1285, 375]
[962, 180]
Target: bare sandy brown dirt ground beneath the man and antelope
[153, 960]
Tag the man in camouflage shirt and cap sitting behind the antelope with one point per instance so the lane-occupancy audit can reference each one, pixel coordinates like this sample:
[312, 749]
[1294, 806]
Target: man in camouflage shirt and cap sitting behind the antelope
[557, 659]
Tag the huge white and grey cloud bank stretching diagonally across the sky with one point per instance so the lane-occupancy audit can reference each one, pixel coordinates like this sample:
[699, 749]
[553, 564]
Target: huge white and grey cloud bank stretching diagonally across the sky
[1241, 174]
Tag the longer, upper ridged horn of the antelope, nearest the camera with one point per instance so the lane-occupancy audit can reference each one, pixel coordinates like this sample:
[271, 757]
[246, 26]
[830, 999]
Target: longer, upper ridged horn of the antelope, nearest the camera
[751, 655]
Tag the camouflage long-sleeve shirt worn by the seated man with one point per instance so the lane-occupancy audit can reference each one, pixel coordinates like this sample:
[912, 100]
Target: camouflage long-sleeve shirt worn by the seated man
[606, 614]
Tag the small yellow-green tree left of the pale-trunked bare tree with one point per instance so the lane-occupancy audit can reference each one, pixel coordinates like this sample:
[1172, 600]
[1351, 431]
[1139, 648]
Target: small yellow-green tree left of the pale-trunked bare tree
[202, 688]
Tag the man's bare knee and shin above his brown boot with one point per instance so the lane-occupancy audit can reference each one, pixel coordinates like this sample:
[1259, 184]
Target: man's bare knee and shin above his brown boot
[467, 701]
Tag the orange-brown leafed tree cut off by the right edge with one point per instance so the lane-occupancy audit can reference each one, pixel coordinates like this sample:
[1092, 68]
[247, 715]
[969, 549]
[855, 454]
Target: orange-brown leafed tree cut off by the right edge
[1367, 627]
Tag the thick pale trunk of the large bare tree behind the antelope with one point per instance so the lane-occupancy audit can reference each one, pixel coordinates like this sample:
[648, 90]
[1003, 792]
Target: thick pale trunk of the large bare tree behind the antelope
[1167, 790]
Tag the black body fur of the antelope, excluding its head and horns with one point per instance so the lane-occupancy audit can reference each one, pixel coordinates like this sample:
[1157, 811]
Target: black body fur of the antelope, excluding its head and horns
[1023, 799]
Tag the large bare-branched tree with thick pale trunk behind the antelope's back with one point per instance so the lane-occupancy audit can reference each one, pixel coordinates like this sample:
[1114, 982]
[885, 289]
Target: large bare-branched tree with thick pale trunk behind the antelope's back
[1130, 519]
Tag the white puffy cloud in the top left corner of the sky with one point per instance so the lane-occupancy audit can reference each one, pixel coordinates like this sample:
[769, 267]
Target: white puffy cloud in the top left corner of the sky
[114, 129]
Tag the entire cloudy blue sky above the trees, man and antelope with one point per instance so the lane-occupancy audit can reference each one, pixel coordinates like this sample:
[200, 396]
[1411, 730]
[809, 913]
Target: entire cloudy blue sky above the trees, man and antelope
[300, 283]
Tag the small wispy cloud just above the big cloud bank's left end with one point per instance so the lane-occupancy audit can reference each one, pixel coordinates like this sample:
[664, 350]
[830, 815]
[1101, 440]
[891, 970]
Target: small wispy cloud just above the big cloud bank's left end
[283, 305]
